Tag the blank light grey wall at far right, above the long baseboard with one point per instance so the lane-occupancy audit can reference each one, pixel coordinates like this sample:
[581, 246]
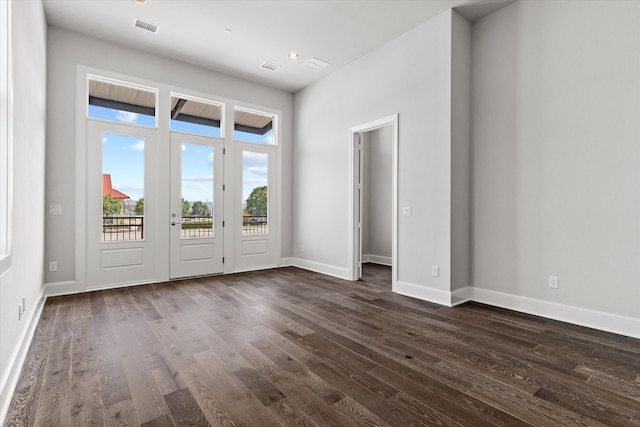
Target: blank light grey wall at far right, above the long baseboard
[556, 161]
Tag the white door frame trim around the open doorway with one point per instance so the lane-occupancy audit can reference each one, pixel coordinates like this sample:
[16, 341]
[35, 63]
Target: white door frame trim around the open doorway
[355, 249]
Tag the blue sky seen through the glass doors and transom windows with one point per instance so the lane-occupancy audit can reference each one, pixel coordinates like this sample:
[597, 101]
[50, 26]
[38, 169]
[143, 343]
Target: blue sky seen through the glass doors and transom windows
[123, 158]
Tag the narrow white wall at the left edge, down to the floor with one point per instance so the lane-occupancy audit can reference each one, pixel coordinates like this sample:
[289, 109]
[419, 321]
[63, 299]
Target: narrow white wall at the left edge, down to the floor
[25, 277]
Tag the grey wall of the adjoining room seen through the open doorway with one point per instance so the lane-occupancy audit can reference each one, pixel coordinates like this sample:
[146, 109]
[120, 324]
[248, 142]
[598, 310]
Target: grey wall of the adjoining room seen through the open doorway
[378, 195]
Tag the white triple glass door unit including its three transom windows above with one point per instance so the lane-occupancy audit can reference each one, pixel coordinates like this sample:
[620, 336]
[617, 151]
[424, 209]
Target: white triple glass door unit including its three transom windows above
[163, 200]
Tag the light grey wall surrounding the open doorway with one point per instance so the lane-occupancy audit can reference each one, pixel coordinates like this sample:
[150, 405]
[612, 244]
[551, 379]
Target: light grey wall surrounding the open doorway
[410, 76]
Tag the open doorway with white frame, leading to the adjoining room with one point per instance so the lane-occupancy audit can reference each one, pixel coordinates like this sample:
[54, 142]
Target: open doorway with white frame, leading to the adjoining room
[374, 195]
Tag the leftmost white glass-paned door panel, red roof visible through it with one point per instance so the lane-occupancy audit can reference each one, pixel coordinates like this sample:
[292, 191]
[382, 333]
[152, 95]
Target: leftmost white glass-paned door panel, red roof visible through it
[121, 243]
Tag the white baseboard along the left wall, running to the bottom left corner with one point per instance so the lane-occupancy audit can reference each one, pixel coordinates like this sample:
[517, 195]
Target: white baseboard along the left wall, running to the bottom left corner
[18, 357]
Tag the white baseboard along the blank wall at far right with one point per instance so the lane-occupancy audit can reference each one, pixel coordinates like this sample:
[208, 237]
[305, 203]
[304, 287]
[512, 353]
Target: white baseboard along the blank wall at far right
[609, 322]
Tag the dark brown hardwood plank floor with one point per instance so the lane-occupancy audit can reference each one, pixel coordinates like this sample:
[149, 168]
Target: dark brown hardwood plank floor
[291, 347]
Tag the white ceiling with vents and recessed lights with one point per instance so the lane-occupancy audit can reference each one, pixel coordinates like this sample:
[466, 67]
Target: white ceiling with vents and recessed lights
[193, 31]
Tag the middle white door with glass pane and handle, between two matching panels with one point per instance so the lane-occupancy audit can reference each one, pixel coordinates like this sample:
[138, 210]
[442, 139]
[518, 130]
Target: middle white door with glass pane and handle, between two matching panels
[196, 218]
